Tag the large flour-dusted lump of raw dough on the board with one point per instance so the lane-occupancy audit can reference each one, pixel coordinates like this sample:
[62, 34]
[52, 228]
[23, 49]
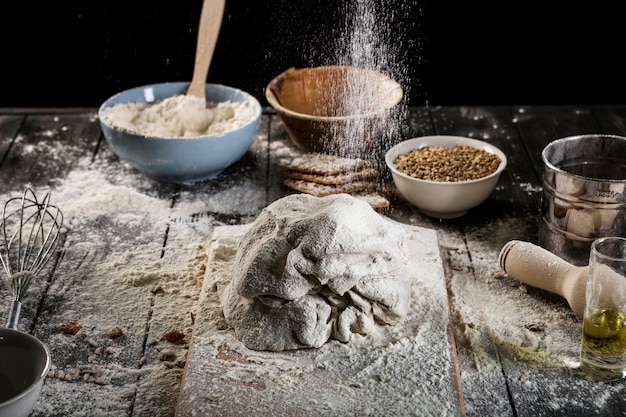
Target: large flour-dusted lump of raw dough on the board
[313, 268]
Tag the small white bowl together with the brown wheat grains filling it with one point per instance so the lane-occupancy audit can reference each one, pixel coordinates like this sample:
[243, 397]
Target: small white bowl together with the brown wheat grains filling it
[445, 176]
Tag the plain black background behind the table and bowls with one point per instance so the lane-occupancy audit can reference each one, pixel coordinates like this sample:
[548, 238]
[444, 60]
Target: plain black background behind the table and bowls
[78, 53]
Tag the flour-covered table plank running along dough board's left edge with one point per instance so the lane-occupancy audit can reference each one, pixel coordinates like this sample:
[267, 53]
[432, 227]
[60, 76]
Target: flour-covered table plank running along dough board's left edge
[196, 210]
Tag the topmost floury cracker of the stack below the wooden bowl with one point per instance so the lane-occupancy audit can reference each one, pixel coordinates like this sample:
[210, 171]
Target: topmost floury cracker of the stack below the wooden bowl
[322, 164]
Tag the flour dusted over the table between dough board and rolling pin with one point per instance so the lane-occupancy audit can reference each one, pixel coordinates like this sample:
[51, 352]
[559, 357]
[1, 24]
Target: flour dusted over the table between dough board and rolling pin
[515, 339]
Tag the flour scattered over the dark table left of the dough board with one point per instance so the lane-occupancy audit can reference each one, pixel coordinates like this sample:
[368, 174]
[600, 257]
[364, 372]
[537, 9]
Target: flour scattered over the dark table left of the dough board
[116, 274]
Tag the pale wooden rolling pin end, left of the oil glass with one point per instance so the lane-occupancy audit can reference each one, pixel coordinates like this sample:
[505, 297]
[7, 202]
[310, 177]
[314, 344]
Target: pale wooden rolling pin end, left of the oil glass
[541, 268]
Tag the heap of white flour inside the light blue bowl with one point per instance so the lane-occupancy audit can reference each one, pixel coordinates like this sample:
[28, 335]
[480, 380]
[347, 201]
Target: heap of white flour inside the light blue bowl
[179, 116]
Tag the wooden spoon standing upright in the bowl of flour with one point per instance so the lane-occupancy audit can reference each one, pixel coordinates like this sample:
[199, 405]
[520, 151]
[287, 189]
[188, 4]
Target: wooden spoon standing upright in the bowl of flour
[193, 114]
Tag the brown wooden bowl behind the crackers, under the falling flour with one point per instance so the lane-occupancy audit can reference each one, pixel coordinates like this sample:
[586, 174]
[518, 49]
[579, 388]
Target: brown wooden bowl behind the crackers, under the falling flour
[339, 110]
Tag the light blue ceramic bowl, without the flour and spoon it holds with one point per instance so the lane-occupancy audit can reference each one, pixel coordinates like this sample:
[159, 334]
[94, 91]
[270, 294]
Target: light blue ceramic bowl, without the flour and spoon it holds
[181, 160]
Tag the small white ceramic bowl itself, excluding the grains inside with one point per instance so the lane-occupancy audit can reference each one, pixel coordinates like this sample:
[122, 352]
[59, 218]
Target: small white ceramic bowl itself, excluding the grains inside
[444, 200]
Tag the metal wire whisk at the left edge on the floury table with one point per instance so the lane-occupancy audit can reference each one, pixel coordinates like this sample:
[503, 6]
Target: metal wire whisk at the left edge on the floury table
[31, 232]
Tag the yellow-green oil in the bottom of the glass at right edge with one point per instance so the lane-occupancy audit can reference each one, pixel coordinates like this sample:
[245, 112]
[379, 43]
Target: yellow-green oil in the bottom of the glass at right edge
[603, 349]
